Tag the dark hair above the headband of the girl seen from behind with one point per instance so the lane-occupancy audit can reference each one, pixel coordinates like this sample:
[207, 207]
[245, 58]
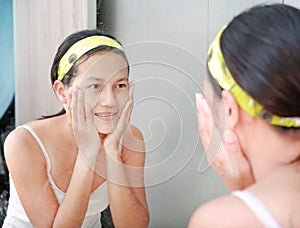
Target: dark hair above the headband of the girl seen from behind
[261, 48]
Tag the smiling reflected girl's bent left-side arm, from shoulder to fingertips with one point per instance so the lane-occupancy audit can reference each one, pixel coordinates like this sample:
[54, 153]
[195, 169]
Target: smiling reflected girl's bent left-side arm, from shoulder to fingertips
[28, 170]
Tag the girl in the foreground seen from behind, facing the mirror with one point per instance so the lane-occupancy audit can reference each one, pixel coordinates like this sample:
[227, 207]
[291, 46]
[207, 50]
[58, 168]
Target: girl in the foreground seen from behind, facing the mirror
[253, 82]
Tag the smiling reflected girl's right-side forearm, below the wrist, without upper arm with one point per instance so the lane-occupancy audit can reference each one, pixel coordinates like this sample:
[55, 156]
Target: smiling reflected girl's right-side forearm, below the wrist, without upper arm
[127, 210]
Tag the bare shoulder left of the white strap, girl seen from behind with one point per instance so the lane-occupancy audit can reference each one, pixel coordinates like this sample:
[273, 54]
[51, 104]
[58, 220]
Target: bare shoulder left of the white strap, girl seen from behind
[225, 211]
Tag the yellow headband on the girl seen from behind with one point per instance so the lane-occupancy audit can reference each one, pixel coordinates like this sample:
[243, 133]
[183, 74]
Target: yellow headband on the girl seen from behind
[219, 71]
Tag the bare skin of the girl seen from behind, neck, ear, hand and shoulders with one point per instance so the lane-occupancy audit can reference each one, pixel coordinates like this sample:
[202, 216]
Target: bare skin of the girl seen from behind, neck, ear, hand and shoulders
[268, 165]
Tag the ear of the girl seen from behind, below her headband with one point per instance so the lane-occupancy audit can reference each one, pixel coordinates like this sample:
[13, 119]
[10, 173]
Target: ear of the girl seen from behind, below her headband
[232, 110]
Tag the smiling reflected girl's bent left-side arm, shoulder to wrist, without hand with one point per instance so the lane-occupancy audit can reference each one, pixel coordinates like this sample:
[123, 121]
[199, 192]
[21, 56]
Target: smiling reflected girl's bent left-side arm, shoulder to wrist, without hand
[27, 168]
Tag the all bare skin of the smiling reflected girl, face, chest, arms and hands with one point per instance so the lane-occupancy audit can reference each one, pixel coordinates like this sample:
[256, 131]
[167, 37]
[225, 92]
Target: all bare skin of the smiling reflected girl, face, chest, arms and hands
[84, 152]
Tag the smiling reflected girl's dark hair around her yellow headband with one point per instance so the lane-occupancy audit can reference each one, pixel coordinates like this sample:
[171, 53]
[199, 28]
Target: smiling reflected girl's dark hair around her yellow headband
[64, 47]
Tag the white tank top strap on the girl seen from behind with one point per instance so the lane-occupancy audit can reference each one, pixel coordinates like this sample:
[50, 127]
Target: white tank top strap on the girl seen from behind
[258, 208]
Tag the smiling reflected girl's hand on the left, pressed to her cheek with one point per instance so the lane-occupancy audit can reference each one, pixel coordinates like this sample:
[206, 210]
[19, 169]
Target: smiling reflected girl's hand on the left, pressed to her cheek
[84, 129]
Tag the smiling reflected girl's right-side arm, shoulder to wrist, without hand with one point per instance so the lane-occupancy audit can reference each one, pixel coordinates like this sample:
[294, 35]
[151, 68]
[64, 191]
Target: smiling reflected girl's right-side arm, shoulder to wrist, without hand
[126, 182]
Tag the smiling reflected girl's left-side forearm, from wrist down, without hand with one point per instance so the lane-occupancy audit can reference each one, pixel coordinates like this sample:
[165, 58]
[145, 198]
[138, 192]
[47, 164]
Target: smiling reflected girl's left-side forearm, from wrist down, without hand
[73, 208]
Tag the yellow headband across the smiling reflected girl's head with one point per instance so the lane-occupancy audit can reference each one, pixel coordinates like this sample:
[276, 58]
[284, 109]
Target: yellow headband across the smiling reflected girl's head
[80, 48]
